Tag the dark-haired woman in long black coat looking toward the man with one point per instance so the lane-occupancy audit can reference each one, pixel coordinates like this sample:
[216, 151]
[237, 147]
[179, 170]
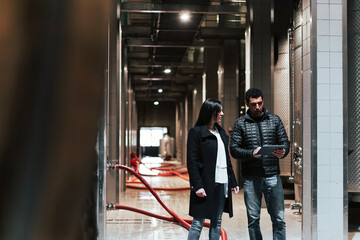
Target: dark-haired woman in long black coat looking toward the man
[210, 171]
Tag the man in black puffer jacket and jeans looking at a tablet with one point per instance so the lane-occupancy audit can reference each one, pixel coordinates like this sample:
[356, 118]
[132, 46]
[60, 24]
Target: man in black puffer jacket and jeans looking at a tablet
[261, 174]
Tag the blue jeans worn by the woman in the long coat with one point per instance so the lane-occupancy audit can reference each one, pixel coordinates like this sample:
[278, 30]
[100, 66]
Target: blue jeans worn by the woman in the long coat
[215, 221]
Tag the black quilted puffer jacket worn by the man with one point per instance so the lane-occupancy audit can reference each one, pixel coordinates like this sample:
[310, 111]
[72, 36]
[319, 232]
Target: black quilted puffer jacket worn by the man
[248, 134]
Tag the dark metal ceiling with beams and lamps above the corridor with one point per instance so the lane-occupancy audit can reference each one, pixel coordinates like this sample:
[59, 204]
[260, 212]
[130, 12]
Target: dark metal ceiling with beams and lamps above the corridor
[156, 39]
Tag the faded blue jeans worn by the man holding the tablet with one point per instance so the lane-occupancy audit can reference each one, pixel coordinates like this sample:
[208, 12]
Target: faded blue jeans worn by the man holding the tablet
[272, 188]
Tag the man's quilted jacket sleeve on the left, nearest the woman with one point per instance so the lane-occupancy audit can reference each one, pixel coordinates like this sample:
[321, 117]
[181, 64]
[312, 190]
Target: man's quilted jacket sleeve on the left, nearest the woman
[237, 149]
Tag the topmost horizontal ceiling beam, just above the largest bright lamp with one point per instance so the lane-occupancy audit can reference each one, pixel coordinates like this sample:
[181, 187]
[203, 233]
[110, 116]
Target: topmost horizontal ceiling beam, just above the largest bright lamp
[176, 8]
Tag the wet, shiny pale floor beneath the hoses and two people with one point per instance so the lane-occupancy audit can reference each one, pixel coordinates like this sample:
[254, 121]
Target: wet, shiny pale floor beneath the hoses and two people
[123, 224]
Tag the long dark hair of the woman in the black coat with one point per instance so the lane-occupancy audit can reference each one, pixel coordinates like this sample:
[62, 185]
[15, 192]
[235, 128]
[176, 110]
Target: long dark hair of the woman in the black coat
[208, 109]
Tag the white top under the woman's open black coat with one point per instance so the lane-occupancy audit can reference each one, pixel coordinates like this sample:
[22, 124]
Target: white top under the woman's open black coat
[221, 166]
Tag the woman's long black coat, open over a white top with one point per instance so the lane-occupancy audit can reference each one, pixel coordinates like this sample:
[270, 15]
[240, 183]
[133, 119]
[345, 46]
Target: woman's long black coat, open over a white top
[201, 164]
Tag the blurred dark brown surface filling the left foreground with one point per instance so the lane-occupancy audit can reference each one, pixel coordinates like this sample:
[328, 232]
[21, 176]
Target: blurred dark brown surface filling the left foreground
[51, 91]
